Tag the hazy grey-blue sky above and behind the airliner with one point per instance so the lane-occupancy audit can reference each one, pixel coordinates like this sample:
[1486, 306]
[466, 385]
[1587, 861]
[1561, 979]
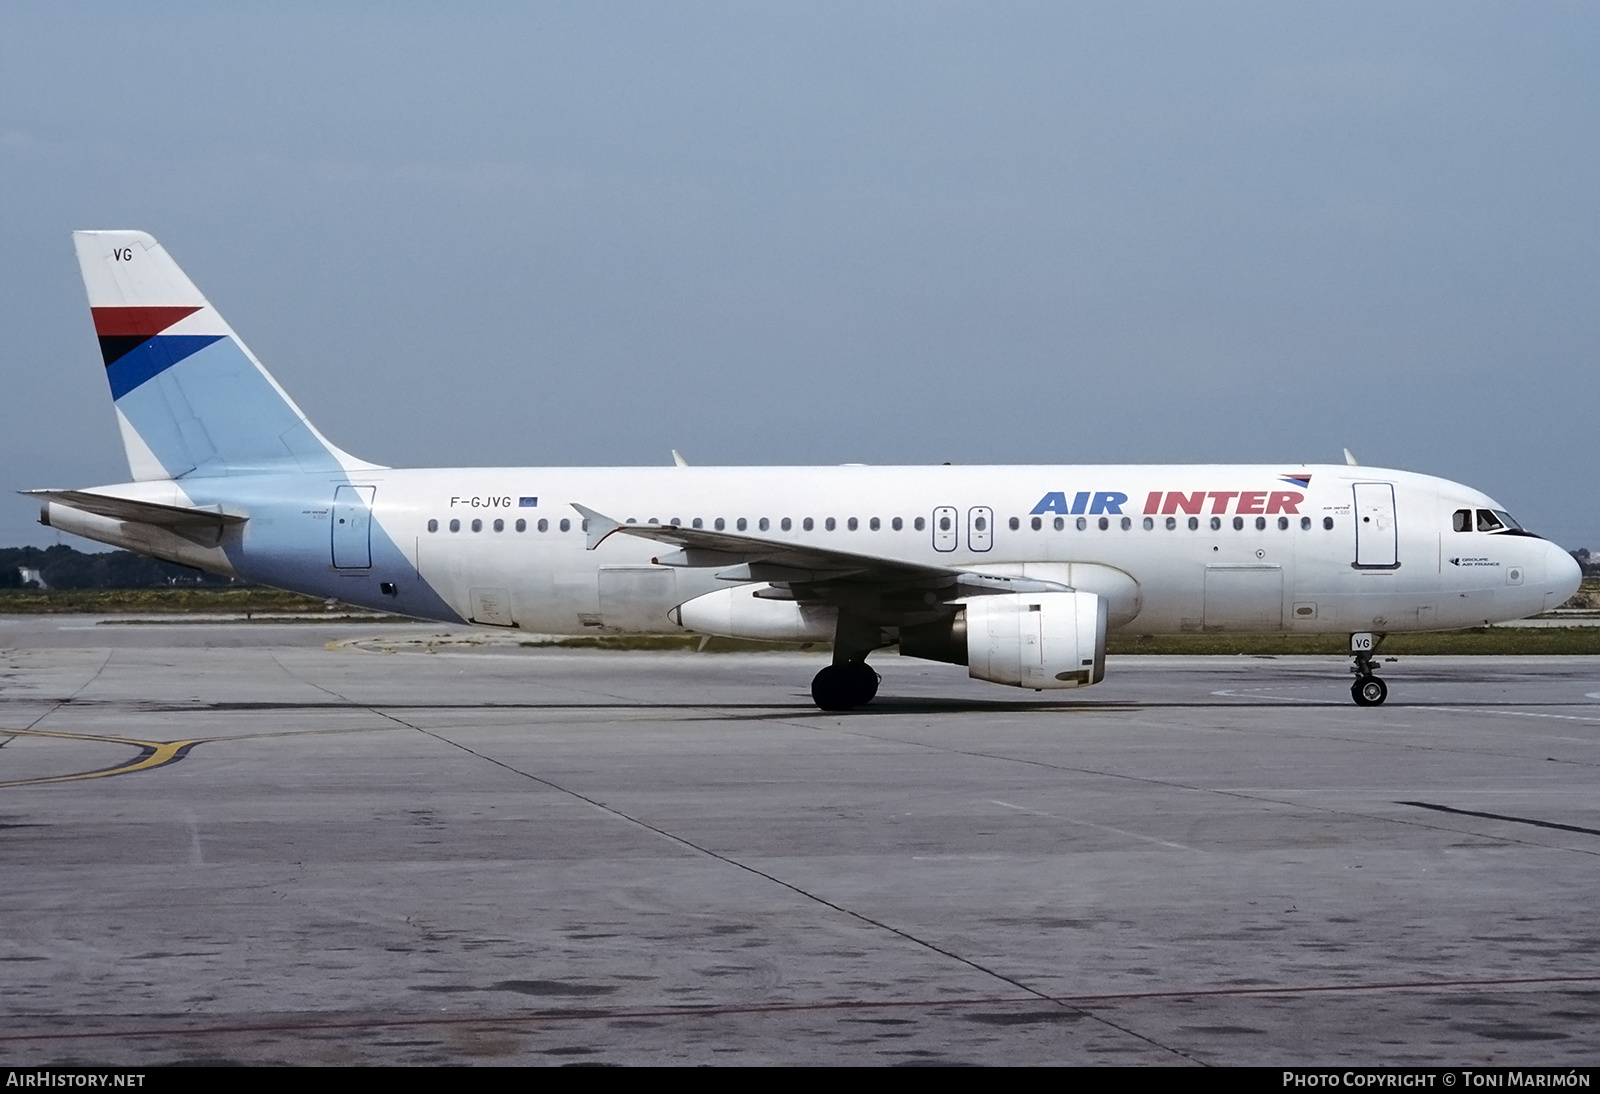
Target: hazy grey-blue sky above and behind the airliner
[814, 234]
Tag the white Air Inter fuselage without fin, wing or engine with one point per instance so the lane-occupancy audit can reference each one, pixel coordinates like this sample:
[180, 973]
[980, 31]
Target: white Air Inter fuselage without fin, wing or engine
[1250, 572]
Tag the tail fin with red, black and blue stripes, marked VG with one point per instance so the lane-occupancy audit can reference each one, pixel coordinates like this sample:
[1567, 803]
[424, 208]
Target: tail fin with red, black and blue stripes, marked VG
[191, 397]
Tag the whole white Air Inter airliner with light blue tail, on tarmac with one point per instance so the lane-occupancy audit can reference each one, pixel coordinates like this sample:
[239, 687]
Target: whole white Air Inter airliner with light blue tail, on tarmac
[1017, 573]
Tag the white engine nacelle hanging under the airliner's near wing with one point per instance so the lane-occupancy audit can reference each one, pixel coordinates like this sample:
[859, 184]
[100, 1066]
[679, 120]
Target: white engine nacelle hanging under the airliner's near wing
[1038, 641]
